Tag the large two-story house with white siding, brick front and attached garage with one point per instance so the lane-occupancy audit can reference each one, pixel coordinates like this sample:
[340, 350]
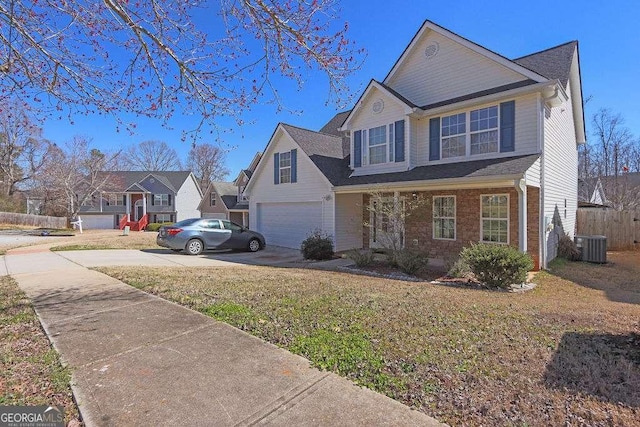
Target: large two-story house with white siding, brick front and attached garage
[490, 142]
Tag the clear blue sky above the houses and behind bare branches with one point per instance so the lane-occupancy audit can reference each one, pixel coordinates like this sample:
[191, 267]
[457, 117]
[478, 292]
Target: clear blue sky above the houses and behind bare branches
[609, 59]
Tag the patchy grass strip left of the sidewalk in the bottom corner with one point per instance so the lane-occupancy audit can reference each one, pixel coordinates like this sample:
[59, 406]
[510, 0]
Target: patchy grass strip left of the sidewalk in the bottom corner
[30, 370]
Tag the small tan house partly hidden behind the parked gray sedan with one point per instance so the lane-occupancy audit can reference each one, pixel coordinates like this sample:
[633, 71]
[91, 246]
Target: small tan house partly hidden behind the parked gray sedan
[226, 200]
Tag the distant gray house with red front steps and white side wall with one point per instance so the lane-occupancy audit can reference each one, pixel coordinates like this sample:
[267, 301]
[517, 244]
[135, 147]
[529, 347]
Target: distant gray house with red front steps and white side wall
[135, 198]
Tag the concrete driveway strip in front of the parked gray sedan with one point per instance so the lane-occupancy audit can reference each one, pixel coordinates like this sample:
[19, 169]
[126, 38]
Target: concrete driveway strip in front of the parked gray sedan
[270, 256]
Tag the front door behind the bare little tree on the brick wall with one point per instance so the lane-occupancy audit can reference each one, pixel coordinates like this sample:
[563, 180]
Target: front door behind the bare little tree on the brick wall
[386, 223]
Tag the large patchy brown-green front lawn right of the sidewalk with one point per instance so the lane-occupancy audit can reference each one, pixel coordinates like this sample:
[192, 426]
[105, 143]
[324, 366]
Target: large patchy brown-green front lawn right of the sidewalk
[560, 354]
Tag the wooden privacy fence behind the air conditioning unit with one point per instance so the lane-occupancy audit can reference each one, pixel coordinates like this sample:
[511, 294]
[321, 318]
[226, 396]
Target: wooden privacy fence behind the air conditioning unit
[622, 228]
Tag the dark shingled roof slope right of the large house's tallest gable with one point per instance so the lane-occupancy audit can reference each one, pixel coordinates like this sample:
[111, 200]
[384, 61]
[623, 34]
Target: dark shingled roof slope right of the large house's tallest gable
[553, 63]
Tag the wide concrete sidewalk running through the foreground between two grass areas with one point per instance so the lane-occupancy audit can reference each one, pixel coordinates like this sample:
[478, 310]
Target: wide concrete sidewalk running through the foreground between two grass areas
[140, 360]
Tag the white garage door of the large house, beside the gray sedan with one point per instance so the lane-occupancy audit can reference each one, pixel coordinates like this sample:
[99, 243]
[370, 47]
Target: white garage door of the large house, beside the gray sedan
[288, 224]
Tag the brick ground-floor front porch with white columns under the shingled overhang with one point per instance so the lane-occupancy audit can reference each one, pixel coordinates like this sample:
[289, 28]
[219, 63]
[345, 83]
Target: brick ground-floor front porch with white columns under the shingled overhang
[441, 222]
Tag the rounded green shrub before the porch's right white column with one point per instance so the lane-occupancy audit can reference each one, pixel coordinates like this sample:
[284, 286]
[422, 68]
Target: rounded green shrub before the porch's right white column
[497, 266]
